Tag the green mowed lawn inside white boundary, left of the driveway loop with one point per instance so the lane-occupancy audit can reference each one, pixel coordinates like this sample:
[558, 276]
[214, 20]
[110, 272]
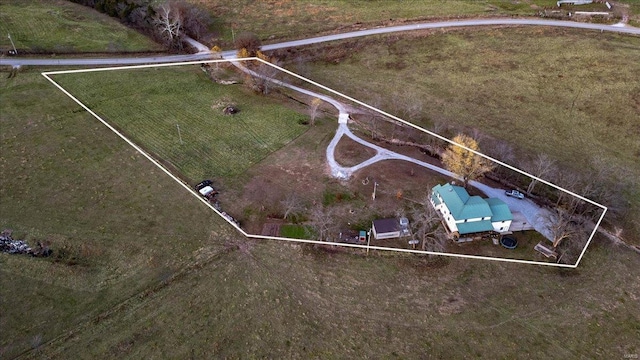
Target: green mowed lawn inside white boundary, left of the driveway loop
[150, 105]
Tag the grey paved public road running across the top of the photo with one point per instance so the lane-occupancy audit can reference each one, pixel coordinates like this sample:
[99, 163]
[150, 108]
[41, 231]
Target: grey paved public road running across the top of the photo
[202, 55]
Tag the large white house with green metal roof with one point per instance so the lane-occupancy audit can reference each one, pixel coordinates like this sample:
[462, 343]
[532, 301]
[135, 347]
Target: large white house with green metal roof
[464, 214]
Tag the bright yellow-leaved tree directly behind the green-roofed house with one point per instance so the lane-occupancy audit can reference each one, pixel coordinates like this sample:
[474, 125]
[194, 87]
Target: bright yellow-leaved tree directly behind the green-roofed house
[464, 163]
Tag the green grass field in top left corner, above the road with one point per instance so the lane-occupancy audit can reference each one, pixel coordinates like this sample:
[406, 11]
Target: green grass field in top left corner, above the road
[64, 27]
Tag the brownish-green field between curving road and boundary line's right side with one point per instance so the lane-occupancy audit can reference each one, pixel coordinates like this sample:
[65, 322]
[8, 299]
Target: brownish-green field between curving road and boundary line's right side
[563, 93]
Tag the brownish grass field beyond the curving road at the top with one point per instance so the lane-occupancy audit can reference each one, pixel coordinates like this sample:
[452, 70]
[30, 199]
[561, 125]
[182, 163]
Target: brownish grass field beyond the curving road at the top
[289, 19]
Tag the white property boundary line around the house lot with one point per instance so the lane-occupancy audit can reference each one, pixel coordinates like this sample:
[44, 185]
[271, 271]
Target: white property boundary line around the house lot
[188, 188]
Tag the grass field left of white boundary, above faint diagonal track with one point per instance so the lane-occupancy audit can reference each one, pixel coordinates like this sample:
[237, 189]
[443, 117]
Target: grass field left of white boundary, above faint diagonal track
[69, 181]
